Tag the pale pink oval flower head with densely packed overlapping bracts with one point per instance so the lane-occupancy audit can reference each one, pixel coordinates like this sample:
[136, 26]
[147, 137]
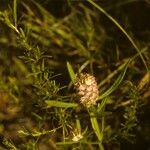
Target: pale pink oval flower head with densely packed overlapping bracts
[87, 89]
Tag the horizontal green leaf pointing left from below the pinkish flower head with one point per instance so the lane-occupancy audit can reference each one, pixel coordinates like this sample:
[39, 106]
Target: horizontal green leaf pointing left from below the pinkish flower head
[52, 103]
